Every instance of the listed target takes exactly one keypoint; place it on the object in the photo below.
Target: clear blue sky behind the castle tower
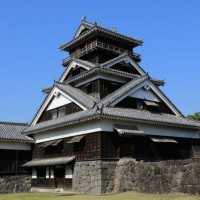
(31, 32)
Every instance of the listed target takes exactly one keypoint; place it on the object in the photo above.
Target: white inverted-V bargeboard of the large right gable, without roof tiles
(155, 90)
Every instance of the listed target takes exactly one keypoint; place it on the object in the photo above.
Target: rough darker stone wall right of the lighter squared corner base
(158, 177)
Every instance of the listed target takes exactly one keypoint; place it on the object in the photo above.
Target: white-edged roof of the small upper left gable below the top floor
(74, 63)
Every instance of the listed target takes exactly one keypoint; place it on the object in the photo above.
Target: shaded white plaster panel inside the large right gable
(145, 94)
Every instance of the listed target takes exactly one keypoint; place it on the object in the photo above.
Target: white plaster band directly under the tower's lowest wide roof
(107, 125)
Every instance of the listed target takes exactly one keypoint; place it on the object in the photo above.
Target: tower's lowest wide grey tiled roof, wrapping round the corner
(114, 113)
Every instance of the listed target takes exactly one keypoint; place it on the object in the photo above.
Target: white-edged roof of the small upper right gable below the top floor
(126, 58)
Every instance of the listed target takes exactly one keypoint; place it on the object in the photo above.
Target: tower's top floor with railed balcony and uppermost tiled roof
(96, 44)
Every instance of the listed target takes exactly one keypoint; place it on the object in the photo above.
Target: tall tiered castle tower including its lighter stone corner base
(105, 110)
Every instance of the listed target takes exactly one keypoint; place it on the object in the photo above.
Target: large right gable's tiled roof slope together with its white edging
(132, 87)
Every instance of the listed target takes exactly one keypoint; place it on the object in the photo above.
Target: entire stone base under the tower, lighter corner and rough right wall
(100, 177)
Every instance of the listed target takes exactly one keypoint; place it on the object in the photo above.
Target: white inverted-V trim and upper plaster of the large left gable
(50, 101)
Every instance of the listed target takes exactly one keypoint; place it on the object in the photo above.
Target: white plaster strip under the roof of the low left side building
(15, 145)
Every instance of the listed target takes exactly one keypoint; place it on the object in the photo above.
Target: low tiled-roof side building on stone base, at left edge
(15, 150)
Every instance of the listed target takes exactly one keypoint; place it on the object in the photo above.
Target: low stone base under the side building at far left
(11, 184)
